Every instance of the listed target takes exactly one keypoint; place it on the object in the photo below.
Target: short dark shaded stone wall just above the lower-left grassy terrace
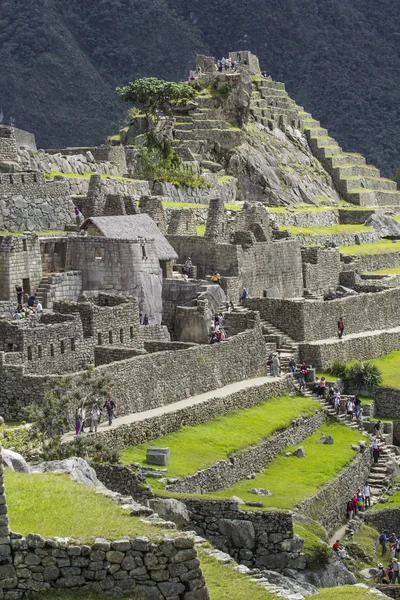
(123, 480)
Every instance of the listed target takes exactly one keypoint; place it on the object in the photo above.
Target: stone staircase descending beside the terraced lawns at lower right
(380, 476)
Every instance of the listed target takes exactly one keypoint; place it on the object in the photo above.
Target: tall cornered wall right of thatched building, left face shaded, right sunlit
(260, 267)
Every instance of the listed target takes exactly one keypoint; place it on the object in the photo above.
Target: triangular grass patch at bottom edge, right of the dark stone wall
(224, 583)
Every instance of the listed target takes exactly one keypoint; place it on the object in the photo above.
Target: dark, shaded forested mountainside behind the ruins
(60, 61)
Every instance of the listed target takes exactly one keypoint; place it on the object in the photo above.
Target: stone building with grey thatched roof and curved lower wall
(126, 255)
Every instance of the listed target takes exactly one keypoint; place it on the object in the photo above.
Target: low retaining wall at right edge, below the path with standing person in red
(360, 347)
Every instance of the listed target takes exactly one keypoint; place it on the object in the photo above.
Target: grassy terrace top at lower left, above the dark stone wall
(52, 505)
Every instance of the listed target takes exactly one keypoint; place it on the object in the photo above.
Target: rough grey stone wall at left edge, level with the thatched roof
(29, 203)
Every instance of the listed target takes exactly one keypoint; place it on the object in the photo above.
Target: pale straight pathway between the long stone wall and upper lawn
(186, 402)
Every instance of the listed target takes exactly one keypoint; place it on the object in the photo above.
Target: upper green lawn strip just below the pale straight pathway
(193, 448)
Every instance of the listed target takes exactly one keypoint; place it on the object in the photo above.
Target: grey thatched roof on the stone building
(133, 227)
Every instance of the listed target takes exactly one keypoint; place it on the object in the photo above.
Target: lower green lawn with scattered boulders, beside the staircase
(292, 479)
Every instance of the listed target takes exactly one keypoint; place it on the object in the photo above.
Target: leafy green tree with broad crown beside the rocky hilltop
(152, 95)
